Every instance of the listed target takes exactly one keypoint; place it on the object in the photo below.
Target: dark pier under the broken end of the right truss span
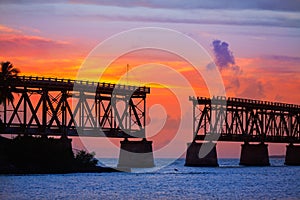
(195, 159)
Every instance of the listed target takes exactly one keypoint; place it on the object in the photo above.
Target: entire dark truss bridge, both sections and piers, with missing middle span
(53, 107)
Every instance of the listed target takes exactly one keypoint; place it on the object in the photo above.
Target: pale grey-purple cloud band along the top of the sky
(205, 12)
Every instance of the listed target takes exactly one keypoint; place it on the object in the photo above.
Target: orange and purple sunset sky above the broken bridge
(53, 39)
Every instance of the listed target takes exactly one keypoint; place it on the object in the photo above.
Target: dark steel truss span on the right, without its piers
(245, 120)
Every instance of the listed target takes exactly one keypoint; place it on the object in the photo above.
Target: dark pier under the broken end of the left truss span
(136, 154)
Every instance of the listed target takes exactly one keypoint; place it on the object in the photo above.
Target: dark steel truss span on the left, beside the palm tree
(51, 106)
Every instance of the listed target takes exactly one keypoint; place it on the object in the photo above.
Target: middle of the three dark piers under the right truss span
(254, 155)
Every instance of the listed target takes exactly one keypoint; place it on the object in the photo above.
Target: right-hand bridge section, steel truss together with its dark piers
(250, 121)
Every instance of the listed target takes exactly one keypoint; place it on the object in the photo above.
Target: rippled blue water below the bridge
(229, 181)
